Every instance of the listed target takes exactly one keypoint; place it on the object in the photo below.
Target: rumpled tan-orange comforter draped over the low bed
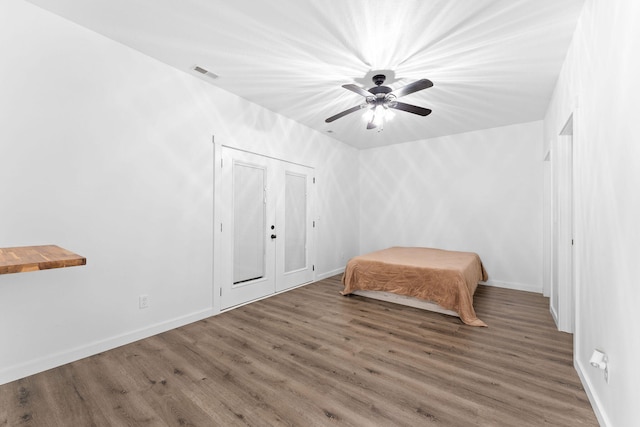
(448, 278)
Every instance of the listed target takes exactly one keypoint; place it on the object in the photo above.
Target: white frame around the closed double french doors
(218, 214)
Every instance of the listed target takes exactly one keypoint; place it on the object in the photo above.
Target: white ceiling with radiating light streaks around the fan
(493, 62)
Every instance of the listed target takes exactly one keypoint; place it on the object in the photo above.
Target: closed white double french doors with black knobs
(265, 226)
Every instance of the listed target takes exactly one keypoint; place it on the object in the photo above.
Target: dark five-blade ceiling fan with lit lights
(380, 98)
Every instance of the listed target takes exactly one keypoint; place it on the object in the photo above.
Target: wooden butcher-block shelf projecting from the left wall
(34, 258)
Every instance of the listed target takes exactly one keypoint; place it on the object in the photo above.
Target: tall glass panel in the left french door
(249, 218)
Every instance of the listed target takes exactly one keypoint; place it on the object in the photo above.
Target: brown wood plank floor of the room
(311, 357)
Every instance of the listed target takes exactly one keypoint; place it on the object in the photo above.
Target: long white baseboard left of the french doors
(41, 364)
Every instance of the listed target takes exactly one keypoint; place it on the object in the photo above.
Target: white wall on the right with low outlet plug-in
(599, 84)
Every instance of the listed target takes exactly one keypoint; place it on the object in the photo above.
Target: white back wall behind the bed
(478, 191)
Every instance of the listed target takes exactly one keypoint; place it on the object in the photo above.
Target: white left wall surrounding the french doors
(108, 153)
